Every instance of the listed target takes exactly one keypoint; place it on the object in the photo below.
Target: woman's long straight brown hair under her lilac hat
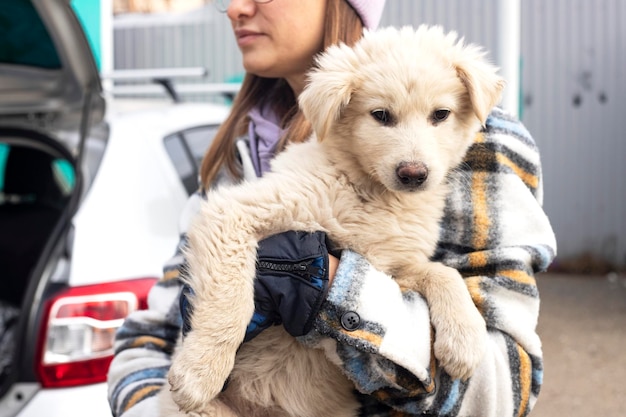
(342, 25)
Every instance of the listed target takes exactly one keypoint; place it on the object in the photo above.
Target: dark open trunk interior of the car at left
(39, 192)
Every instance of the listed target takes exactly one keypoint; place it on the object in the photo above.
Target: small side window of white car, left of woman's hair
(186, 149)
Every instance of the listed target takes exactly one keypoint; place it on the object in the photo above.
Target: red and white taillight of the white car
(79, 325)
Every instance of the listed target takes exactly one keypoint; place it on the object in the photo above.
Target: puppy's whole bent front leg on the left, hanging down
(221, 261)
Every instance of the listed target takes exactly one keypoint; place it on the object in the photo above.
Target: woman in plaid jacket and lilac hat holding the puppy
(494, 232)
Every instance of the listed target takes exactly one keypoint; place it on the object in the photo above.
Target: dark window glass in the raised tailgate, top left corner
(24, 39)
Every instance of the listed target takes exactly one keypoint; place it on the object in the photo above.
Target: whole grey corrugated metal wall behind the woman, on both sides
(573, 90)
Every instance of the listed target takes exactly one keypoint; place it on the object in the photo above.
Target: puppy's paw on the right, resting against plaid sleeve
(460, 347)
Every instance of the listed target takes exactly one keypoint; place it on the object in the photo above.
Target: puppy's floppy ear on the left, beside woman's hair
(329, 89)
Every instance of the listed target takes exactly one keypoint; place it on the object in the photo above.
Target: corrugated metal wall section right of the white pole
(574, 88)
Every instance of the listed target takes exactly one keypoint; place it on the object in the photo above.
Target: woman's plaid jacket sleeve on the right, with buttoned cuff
(496, 234)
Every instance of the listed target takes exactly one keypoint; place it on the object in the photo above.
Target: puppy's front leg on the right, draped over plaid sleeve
(460, 330)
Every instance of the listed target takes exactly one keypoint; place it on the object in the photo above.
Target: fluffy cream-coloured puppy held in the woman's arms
(392, 117)
